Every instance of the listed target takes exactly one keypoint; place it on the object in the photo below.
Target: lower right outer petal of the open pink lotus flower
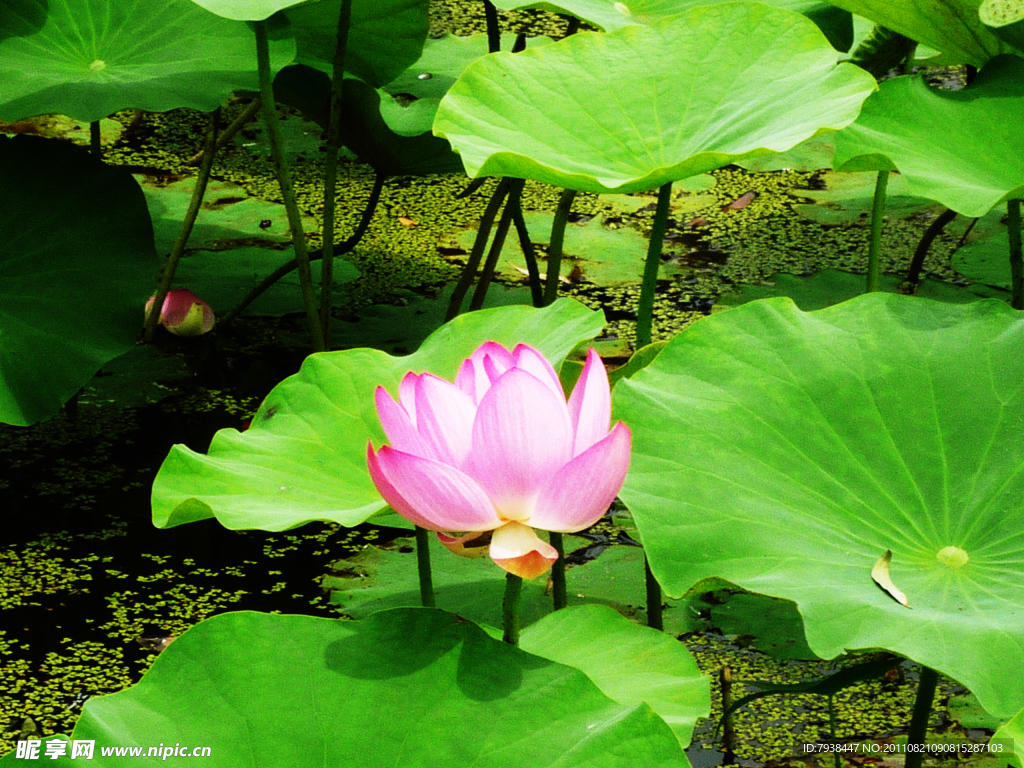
(577, 496)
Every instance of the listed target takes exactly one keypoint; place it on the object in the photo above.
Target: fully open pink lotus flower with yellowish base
(500, 453)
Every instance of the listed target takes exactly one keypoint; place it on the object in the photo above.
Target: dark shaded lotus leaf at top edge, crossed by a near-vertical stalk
(385, 36)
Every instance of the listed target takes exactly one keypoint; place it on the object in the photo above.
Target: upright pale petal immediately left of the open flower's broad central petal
(445, 419)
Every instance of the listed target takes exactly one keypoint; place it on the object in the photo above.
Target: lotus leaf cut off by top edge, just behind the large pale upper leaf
(611, 16)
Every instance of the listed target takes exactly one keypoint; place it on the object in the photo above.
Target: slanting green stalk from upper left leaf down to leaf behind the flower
(285, 182)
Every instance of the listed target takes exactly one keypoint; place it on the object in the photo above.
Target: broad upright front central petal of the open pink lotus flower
(522, 437)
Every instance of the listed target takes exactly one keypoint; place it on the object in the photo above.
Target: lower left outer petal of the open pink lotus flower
(431, 494)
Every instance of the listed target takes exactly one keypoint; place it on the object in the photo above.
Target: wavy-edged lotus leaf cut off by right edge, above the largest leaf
(977, 158)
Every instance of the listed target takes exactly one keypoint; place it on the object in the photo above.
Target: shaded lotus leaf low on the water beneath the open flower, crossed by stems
(381, 578)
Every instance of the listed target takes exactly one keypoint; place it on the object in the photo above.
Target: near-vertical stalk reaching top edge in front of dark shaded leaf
(331, 168)
